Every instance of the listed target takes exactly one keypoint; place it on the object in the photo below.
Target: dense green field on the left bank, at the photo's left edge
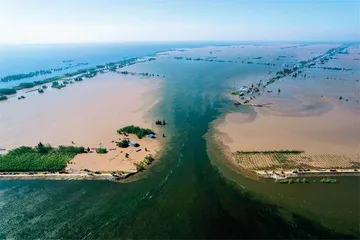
(40, 158)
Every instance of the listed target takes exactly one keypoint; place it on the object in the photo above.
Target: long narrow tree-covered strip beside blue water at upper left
(72, 77)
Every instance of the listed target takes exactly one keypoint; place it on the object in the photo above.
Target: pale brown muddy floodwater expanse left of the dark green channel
(87, 113)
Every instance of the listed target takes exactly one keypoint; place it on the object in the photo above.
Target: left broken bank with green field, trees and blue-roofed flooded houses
(73, 162)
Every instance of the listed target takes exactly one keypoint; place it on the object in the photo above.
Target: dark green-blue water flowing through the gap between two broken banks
(185, 194)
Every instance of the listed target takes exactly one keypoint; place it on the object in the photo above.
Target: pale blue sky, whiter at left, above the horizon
(95, 21)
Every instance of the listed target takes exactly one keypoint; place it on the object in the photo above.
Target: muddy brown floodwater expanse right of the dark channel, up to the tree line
(307, 115)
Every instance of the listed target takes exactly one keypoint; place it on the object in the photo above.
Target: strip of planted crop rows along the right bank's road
(287, 160)
